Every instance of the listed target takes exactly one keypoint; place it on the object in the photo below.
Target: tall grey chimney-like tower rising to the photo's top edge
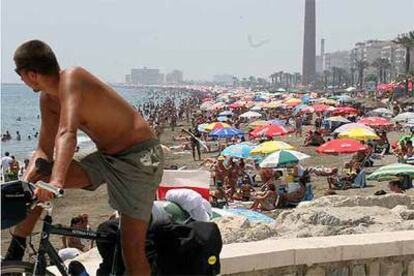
(309, 43)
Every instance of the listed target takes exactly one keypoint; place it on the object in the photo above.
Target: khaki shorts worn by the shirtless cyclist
(132, 176)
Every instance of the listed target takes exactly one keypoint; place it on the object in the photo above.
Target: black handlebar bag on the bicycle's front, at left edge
(16, 196)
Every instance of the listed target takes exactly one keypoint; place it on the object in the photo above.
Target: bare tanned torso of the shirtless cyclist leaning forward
(106, 117)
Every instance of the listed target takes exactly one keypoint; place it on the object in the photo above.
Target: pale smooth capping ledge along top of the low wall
(268, 254)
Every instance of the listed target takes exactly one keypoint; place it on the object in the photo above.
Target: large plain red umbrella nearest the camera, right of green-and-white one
(341, 146)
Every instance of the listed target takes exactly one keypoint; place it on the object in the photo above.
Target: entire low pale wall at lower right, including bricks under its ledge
(389, 253)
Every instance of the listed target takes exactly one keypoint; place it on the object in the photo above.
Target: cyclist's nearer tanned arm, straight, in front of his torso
(66, 140)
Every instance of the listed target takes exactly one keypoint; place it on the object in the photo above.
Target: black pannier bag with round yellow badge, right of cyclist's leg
(191, 249)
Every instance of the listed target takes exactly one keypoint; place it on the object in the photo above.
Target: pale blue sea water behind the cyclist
(20, 112)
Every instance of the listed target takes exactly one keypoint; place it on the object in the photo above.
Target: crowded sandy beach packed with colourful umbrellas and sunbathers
(257, 157)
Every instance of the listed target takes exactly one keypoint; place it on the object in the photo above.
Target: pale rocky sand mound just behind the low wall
(327, 216)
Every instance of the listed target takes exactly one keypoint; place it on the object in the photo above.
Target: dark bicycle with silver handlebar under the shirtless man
(39, 266)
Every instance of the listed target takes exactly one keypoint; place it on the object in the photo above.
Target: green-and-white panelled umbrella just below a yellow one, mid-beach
(282, 158)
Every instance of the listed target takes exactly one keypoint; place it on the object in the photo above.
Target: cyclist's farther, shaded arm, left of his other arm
(48, 129)
